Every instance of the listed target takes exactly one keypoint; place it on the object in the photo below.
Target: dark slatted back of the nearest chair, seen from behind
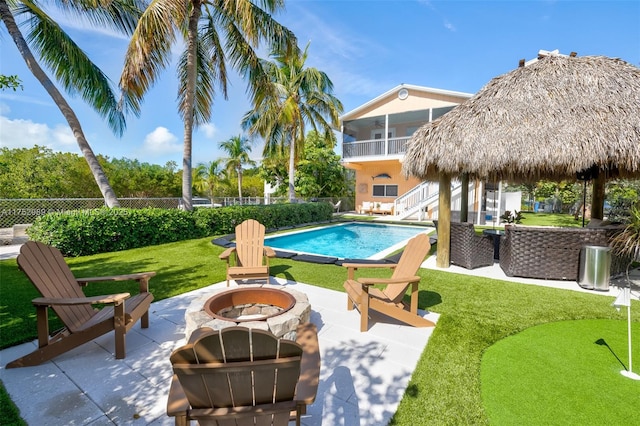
(237, 367)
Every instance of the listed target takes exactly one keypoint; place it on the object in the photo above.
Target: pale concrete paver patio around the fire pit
(363, 375)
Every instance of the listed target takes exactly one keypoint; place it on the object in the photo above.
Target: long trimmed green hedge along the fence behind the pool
(86, 232)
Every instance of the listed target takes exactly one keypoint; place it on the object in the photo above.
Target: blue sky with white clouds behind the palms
(367, 47)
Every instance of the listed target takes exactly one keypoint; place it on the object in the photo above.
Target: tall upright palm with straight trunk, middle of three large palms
(216, 33)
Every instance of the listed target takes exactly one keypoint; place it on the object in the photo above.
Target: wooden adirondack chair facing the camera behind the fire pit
(251, 255)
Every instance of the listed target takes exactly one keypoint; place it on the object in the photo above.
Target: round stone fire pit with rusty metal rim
(277, 309)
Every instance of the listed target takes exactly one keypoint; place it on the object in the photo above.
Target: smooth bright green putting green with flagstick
(562, 373)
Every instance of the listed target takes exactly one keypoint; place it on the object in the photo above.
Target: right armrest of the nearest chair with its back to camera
(307, 388)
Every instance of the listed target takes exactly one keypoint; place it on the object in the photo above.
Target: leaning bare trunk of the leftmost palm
(96, 169)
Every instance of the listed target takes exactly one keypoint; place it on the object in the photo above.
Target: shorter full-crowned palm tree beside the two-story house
(296, 97)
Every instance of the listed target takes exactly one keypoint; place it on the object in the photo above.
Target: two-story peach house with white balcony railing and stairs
(375, 136)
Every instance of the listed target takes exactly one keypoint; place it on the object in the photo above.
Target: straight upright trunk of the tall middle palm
(189, 102)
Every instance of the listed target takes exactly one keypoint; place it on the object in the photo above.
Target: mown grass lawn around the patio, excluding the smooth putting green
(446, 385)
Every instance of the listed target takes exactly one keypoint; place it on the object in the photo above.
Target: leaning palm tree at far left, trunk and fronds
(73, 69)
